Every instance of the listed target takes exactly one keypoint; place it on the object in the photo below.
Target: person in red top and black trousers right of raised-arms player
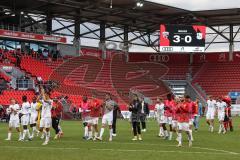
(56, 111)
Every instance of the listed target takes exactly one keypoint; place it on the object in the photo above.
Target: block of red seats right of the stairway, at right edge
(219, 79)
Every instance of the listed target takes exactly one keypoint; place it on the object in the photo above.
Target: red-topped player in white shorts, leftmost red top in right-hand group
(168, 105)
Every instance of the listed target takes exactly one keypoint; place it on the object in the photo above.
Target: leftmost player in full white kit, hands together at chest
(14, 121)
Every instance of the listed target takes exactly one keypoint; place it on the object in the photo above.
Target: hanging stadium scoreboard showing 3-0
(182, 38)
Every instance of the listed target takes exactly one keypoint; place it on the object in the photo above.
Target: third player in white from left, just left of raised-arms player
(34, 116)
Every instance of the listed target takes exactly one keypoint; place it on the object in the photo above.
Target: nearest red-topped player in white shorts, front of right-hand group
(184, 111)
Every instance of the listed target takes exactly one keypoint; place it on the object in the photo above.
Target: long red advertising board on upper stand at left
(32, 36)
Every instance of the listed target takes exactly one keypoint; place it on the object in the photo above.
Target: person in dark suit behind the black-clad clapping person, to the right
(144, 113)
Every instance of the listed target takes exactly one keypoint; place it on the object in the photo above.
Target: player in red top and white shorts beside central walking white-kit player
(95, 112)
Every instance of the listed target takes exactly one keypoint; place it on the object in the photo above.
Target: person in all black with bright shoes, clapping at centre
(135, 109)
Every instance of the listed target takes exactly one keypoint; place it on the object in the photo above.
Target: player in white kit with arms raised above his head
(46, 120)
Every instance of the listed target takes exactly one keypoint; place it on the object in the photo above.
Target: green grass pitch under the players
(209, 146)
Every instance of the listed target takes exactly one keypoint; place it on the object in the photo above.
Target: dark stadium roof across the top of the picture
(122, 13)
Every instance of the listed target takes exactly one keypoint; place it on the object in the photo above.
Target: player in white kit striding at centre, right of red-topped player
(107, 118)
